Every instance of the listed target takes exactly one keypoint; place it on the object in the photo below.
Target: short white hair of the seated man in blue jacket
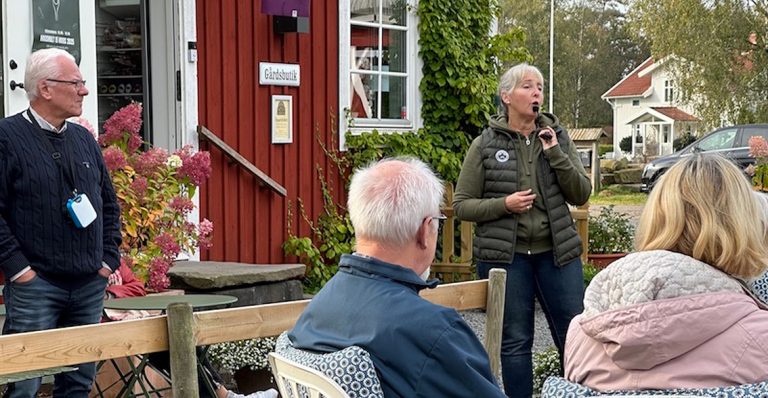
(389, 199)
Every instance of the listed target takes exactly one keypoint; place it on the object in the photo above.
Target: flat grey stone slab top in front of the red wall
(208, 275)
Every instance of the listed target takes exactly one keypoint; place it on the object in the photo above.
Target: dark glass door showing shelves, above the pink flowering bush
(121, 58)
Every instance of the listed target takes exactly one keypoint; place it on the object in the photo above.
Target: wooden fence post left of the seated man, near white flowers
(181, 342)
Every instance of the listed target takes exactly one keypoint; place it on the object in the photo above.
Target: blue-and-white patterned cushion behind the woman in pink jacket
(561, 388)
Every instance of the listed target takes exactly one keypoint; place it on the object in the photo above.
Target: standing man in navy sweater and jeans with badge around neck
(59, 217)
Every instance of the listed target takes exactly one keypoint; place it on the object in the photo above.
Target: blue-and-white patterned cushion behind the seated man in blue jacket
(352, 367)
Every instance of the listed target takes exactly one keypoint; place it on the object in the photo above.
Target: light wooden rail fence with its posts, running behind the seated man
(69, 346)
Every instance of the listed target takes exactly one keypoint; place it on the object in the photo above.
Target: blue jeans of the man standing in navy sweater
(40, 305)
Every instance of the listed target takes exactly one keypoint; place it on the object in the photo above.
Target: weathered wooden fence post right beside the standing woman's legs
(494, 312)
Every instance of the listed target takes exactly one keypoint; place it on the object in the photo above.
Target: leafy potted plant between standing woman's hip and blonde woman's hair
(611, 236)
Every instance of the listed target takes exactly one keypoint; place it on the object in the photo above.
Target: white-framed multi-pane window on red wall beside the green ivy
(378, 69)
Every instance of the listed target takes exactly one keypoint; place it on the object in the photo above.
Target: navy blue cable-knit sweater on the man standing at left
(35, 228)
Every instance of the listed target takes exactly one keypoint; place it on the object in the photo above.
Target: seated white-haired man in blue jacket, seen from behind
(419, 349)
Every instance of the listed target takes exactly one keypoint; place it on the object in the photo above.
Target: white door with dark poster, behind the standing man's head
(17, 45)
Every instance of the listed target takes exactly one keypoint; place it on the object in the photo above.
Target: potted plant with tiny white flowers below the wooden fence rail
(246, 361)
